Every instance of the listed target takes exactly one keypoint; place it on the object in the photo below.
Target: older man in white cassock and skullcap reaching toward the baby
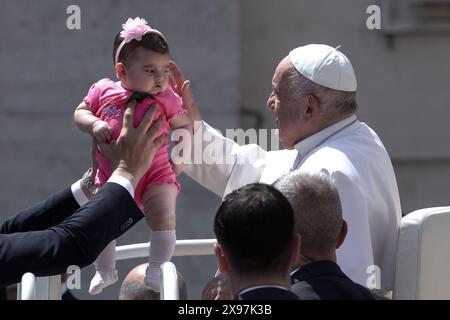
(313, 98)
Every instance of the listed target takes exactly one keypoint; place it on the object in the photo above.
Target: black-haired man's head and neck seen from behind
(256, 241)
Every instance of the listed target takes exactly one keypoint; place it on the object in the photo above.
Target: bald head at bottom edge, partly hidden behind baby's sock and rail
(133, 287)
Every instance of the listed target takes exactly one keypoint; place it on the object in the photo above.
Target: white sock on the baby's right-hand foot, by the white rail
(162, 245)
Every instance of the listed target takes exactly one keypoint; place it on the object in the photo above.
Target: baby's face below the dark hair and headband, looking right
(148, 72)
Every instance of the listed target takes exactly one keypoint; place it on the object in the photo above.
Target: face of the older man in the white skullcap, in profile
(287, 109)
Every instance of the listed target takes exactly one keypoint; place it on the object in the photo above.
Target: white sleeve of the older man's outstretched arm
(216, 161)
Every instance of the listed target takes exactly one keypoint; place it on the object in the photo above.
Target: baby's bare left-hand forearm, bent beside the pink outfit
(89, 123)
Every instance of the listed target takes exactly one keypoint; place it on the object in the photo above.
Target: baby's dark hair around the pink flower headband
(150, 41)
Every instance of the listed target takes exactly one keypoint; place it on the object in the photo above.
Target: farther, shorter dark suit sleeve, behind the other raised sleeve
(42, 215)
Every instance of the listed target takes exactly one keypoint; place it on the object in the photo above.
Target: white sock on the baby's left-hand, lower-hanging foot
(105, 266)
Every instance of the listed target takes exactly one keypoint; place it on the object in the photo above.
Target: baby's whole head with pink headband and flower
(141, 57)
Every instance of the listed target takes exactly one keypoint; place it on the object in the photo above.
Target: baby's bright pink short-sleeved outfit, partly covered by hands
(107, 100)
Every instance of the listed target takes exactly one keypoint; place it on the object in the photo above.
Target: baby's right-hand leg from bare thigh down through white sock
(159, 210)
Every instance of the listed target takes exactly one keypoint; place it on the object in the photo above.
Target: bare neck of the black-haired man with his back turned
(239, 283)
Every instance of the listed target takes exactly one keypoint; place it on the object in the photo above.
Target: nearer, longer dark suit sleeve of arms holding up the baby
(76, 241)
